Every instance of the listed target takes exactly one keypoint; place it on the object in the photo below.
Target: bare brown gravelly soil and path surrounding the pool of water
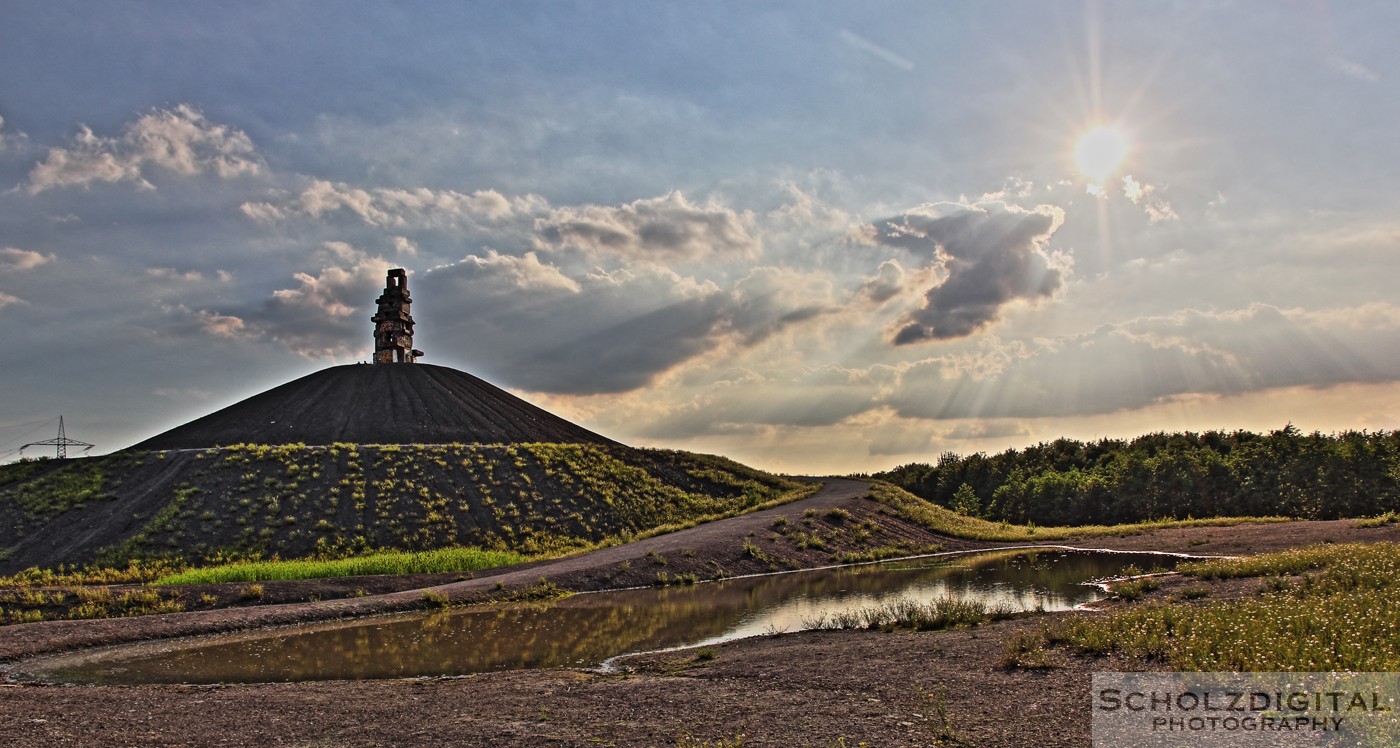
(813, 688)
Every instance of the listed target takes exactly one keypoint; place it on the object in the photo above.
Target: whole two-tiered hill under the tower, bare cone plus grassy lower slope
(358, 459)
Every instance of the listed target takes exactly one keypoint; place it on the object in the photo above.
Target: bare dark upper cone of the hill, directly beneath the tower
(363, 404)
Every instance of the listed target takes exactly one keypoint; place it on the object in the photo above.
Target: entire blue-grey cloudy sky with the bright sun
(815, 237)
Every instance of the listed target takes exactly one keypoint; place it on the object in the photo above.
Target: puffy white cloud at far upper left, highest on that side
(178, 141)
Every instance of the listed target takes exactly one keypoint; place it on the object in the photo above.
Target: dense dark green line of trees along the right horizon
(1170, 476)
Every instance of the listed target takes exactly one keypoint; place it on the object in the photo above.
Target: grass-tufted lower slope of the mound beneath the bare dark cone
(295, 502)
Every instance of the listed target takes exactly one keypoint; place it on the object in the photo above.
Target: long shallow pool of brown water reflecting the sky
(591, 628)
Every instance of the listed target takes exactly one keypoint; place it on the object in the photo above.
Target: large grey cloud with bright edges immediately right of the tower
(545, 330)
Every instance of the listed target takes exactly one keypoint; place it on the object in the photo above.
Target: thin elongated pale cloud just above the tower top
(383, 208)
